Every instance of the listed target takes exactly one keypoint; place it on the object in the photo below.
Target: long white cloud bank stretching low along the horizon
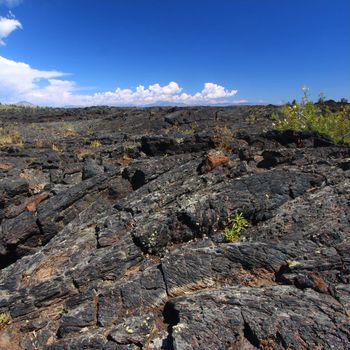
(19, 81)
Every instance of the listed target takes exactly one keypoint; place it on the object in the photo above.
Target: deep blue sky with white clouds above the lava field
(136, 52)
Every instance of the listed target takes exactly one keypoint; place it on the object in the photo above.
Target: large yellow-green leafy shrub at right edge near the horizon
(306, 116)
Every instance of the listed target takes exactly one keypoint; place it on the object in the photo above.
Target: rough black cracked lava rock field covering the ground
(111, 232)
